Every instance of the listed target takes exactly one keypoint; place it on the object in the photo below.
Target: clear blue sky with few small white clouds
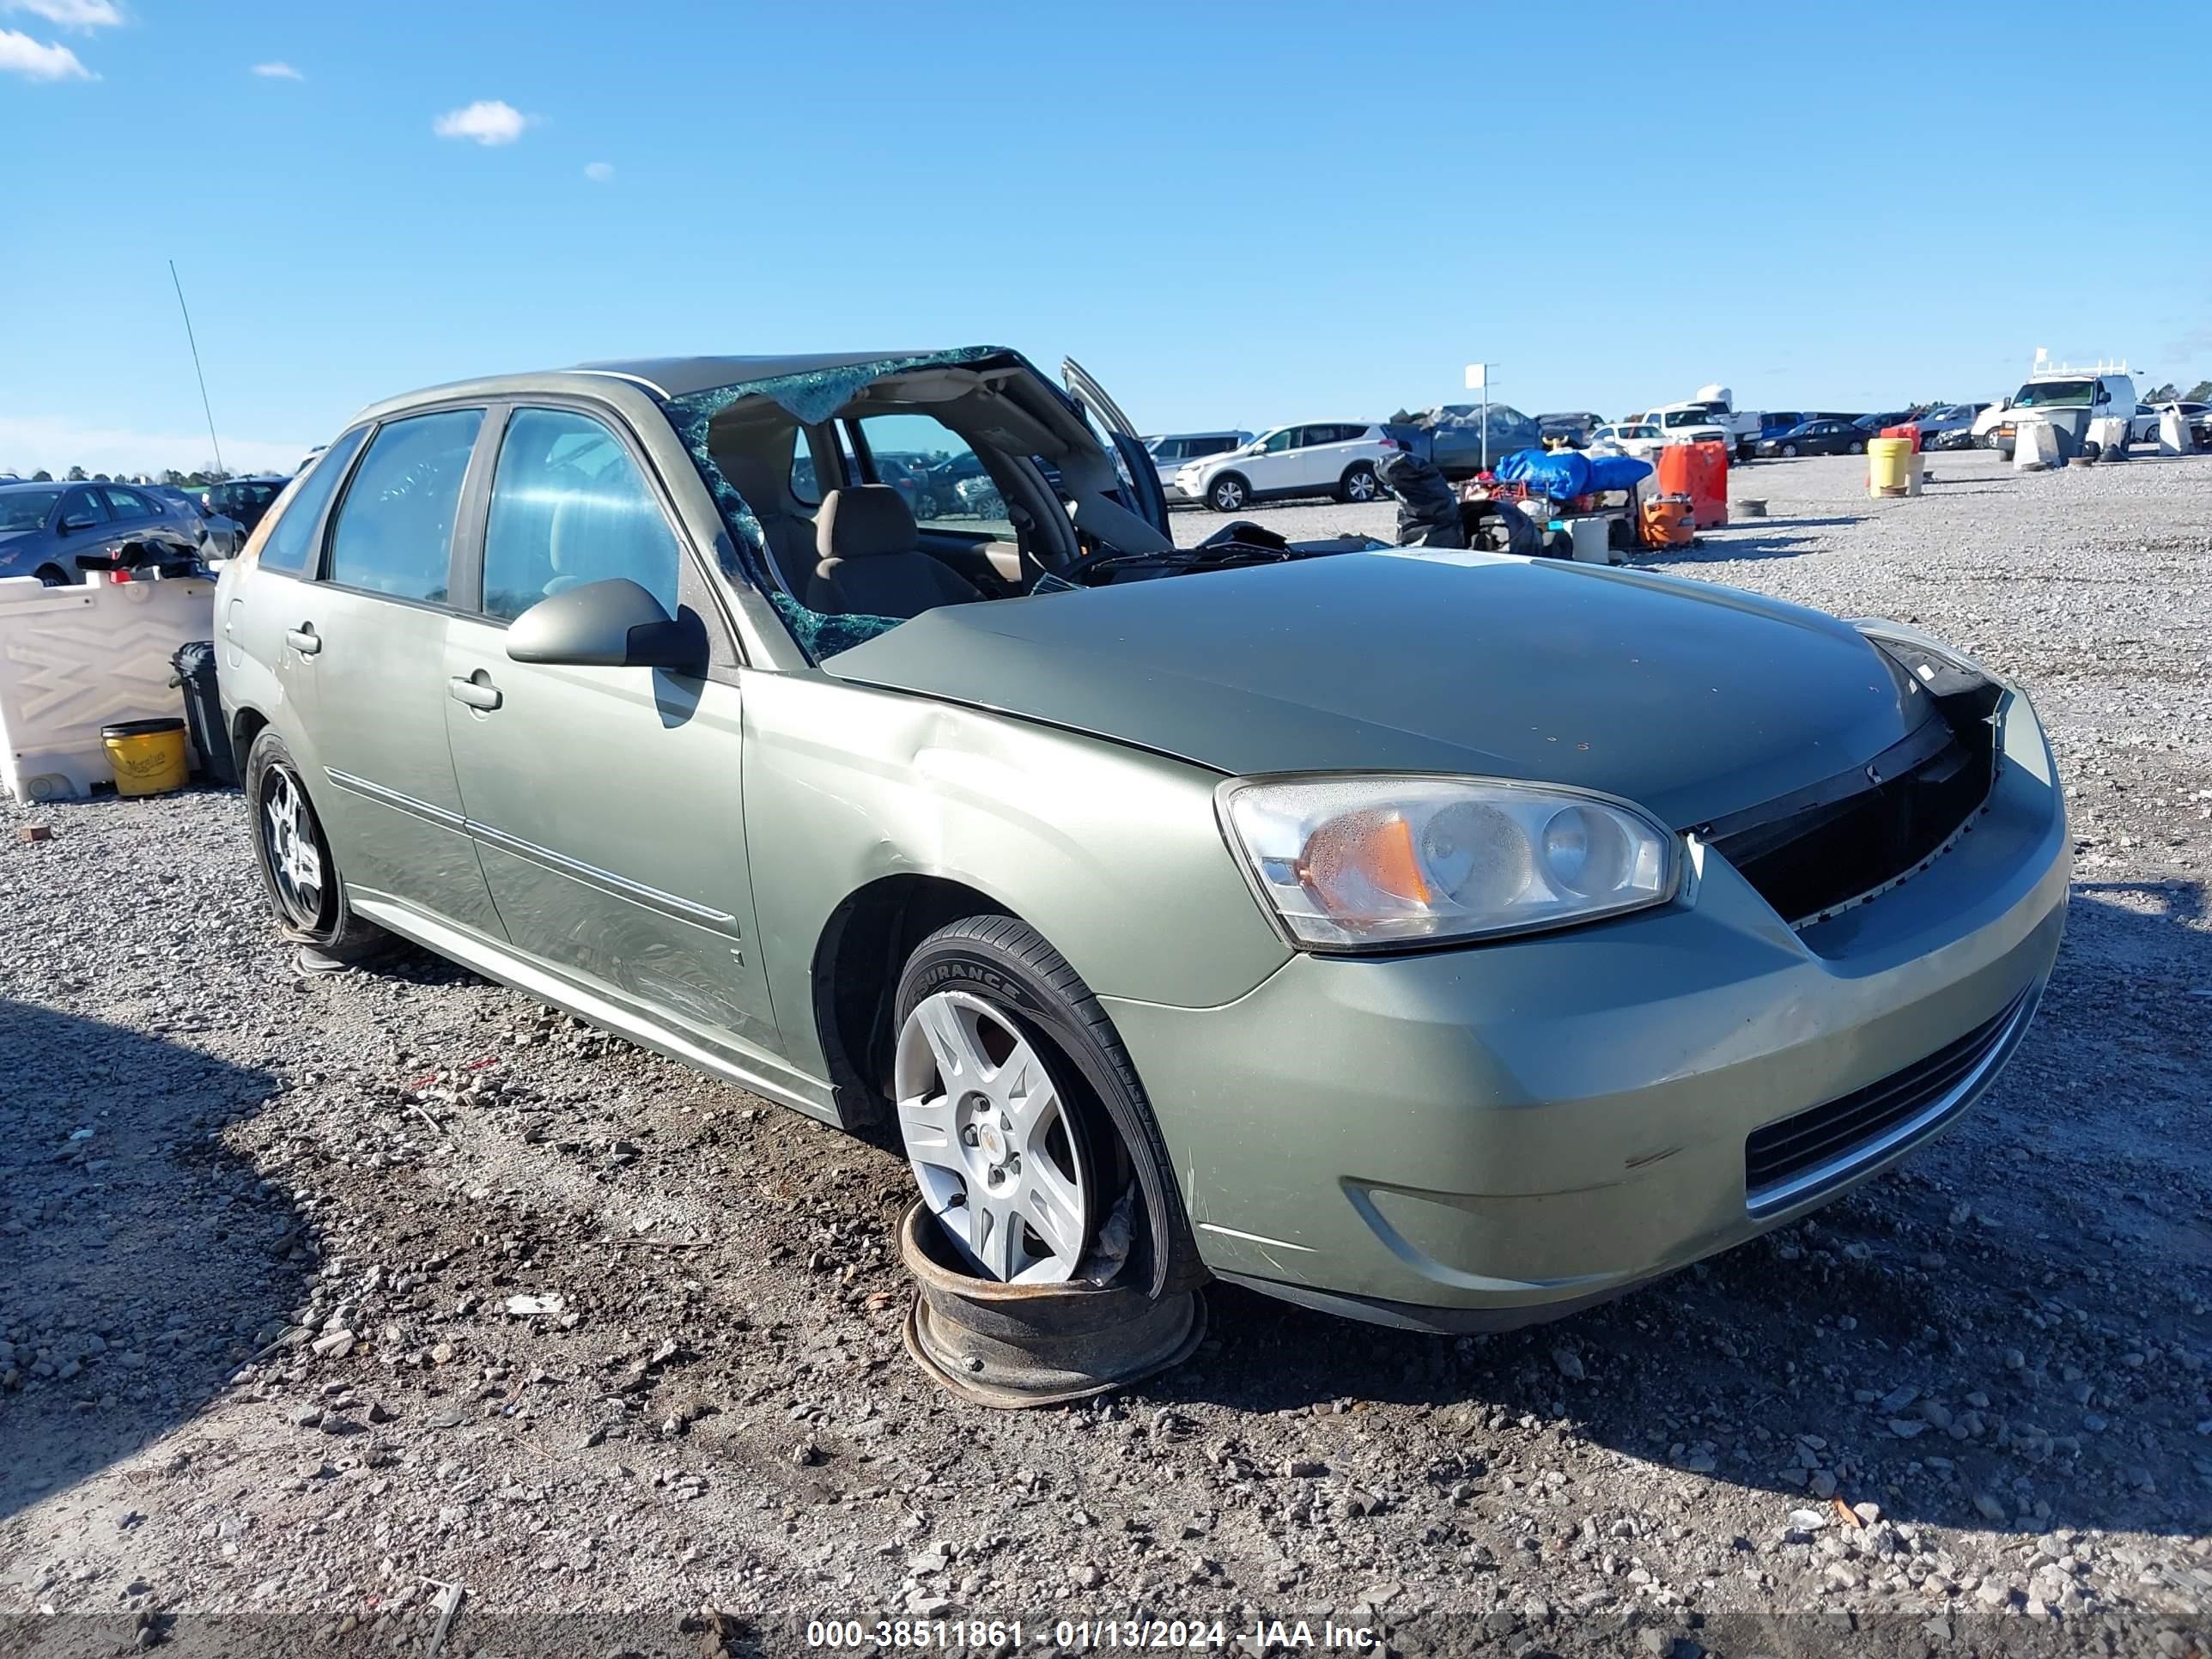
(1233, 216)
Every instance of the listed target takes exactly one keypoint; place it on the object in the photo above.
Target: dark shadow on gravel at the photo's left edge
(140, 1260)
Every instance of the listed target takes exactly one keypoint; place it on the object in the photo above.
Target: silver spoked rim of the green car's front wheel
(992, 1140)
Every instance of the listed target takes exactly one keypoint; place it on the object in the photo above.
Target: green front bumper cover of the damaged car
(1492, 1136)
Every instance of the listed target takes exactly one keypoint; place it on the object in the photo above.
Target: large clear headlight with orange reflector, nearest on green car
(1379, 862)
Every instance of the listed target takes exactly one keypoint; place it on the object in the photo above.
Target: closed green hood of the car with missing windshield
(1687, 698)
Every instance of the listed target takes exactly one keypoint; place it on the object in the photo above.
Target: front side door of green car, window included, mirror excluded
(605, 802)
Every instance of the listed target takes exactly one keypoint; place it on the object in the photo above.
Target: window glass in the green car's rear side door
(395, 530)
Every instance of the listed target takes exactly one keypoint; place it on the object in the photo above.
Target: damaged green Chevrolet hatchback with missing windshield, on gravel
(1439, 939)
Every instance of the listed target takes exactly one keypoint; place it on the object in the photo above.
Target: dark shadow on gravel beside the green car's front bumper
(2005, 1333)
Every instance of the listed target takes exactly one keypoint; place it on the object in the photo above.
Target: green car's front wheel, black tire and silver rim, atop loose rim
(1021, 1112)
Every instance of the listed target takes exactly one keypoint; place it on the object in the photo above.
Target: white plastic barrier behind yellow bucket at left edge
(74, 660)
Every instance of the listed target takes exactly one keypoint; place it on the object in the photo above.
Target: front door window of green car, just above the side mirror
(570, 508)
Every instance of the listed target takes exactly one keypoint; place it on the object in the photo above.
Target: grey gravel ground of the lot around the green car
(262, 1390)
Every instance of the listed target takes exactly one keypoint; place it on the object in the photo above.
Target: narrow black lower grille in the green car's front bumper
(1839, 1136)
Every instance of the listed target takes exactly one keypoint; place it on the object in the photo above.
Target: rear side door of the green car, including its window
(368, 640)
